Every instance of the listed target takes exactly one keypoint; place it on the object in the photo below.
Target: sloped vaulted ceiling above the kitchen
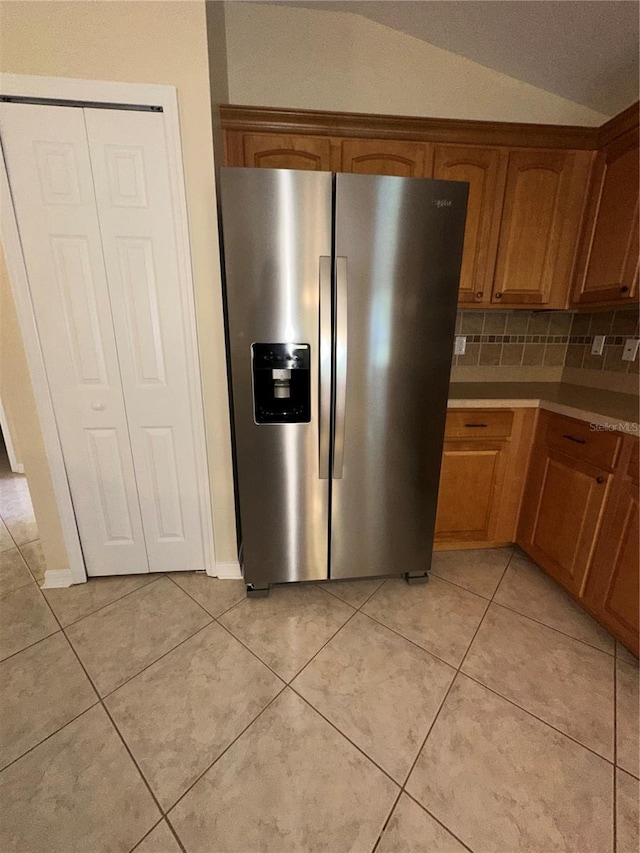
(584, 50)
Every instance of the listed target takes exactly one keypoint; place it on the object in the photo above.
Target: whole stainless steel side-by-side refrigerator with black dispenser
(341, 295)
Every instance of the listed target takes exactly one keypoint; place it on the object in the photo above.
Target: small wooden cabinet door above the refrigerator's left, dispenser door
(275, 151)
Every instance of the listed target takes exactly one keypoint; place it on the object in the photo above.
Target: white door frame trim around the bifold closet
(103, 92)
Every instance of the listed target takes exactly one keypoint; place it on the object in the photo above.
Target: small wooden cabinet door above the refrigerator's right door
(385, 157)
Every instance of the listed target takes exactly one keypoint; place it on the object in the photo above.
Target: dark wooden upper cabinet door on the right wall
(610, 248)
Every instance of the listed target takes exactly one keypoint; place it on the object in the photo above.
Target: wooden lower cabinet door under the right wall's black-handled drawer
(561, 515)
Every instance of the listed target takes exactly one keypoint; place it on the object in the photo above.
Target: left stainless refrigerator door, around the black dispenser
(276, 227)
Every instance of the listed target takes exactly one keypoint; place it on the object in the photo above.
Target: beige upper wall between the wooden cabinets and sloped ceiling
(314, 59)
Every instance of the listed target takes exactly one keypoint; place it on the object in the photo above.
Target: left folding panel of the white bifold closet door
(52, 187)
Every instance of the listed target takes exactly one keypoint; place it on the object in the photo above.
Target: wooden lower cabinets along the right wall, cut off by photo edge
(580, 520)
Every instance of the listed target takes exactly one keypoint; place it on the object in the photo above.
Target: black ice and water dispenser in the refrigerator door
(281, 383)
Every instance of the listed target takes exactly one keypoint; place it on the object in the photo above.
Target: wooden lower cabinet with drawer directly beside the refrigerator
(484, 458)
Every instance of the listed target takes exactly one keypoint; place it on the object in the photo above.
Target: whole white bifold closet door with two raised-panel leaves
(93, 203)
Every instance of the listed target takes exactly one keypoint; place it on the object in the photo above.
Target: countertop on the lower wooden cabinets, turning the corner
(609, 409)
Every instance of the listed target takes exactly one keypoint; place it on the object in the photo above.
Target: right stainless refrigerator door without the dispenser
(402, 240)
